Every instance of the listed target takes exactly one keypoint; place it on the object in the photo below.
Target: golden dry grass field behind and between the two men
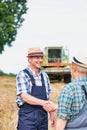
(8, 108)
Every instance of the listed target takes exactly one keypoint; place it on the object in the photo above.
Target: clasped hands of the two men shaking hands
(49, 106)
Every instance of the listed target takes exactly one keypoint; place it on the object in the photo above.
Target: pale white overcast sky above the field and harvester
(47, 23)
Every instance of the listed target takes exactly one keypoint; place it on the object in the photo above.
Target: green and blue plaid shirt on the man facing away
(72, 99)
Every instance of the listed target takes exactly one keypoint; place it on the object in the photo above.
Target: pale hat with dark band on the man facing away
(80, 59)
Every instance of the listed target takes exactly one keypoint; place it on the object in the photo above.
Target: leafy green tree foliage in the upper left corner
(11, 18)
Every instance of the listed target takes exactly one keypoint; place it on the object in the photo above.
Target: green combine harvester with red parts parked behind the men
(56, 64)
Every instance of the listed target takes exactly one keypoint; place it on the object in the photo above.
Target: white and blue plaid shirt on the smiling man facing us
(23, 84)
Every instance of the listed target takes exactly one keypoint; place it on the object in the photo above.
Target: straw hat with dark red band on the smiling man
(34, 52)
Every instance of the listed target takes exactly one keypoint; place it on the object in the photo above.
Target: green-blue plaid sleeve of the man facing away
(64, 104)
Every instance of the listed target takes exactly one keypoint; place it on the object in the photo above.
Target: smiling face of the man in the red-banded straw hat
(36, 61)
